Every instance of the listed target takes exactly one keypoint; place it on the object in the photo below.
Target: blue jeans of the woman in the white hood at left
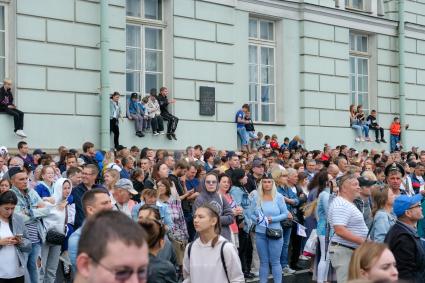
(50, 259)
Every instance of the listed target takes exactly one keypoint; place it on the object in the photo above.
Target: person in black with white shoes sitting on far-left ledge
(7, 106)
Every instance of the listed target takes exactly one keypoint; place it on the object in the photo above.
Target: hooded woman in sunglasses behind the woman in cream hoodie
(209, 195)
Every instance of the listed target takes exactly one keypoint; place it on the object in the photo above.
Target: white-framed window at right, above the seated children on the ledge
(359, 70)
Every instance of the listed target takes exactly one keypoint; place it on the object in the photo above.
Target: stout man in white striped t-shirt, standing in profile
(349, 227)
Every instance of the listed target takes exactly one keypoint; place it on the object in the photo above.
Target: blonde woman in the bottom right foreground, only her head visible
(373, 261)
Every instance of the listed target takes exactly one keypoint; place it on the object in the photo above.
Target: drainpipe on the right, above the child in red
(401, 85)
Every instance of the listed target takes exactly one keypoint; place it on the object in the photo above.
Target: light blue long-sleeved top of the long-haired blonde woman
(275, 209)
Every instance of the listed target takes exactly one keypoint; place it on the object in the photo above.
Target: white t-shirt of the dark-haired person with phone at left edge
(10, 255)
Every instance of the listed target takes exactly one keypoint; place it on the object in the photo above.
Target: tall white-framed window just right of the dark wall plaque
(261, 61)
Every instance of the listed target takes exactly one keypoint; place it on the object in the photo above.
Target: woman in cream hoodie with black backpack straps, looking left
(210, 258)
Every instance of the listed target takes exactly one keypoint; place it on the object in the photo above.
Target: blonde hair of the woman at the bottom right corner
(363, 258)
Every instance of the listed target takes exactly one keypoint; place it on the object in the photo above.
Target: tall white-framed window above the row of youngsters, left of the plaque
(144, 46)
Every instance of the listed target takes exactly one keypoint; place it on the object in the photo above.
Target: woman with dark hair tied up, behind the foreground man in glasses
(159, 270)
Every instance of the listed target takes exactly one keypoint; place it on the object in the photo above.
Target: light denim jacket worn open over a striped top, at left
(33, 214)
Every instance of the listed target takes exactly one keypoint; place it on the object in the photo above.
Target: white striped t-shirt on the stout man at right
(344, 213)
